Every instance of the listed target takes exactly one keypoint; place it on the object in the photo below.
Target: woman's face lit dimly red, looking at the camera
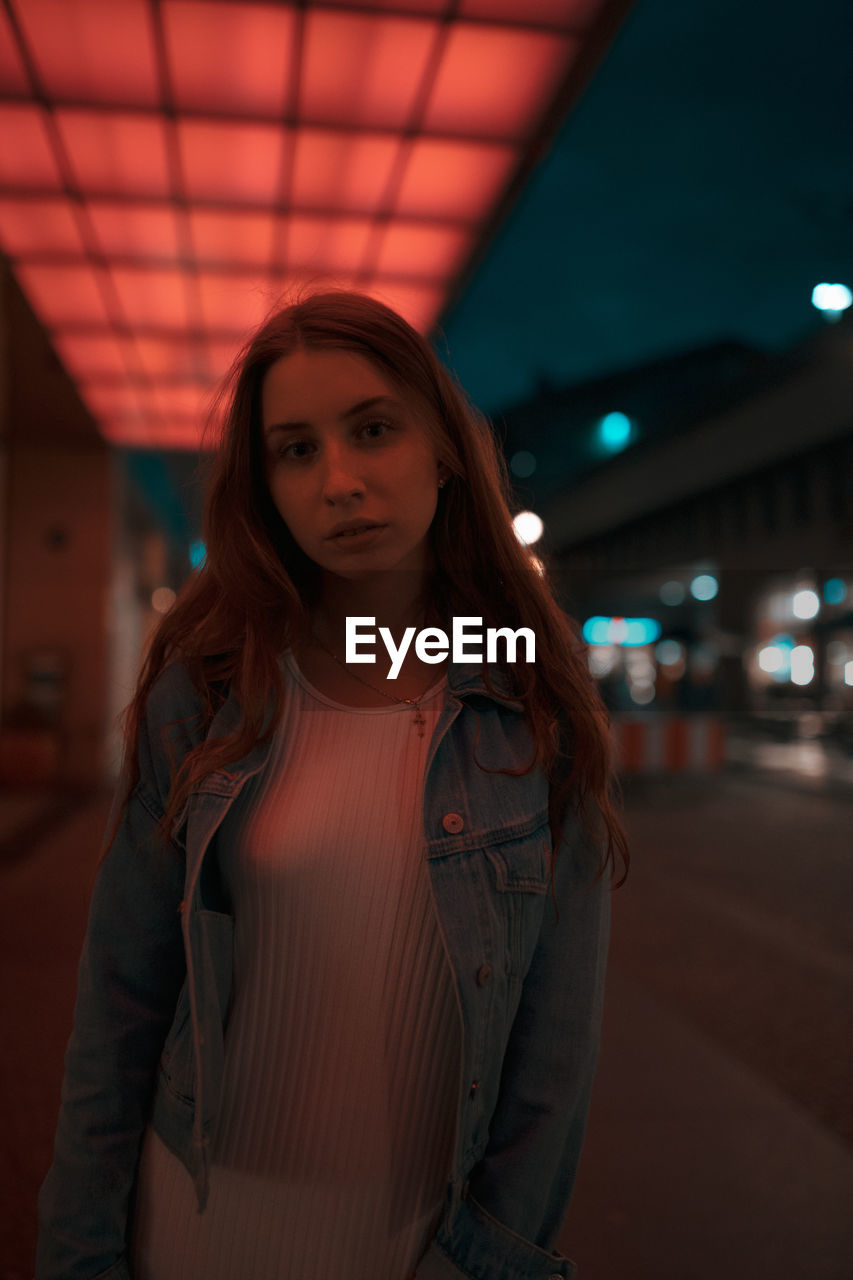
(341, 444)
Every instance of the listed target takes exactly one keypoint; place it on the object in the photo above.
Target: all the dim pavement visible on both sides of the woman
(720, 1141)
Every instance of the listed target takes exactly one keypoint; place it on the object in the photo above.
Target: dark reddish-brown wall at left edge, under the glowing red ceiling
(57, 522)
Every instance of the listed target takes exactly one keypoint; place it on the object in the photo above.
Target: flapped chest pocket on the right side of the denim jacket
(519, 876)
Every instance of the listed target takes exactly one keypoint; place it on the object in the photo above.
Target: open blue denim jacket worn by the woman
(526, 939)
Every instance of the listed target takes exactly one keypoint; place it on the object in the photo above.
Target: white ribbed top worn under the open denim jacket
(335, 1140)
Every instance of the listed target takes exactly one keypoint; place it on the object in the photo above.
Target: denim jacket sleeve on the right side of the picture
(518, 1195)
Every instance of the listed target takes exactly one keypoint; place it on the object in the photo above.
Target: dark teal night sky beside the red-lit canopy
(699, 191)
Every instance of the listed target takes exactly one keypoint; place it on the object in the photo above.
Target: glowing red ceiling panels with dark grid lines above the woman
(174, 168)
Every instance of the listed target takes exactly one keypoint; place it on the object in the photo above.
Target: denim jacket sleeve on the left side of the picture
(130, 976)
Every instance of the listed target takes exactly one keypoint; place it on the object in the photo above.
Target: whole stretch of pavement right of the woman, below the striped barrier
(720, 1141)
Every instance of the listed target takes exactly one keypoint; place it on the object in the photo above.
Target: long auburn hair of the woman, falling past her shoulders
(252, 596)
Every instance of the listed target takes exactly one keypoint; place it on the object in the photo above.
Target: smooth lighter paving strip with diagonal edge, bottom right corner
(696, 1167)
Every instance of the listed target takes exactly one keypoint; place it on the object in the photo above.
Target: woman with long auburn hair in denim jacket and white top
(329, 1020)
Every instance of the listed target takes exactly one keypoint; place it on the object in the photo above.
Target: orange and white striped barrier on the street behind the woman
(669, 744)
